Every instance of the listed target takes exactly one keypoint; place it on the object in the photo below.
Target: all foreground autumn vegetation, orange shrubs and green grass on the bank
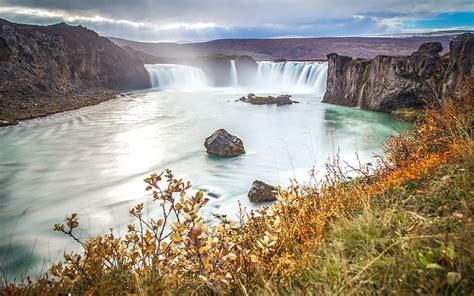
(403, 225)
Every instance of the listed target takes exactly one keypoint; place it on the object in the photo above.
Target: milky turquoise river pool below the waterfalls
(92, 161)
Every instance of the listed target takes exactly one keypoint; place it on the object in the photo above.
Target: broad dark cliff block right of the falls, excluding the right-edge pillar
(386, 83)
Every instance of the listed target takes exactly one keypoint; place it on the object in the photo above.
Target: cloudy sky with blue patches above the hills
(201, 20)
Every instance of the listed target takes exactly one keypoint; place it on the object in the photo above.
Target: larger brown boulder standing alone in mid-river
(223, 144)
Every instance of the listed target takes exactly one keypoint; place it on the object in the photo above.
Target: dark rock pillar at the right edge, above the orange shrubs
(461, 63)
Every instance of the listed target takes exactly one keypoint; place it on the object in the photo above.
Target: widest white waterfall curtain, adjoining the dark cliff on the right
(292, 76)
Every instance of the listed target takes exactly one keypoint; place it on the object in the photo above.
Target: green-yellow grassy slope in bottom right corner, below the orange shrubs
(417, 238)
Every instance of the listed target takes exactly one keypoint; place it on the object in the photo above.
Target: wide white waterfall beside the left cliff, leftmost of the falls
(177, 77)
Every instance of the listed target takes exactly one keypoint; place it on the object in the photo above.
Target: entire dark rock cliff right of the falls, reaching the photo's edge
(386, 83)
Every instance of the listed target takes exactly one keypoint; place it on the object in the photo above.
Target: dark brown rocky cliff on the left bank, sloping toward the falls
(47, 69)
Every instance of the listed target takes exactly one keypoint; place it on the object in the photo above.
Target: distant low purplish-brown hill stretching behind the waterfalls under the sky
(294, 48)
